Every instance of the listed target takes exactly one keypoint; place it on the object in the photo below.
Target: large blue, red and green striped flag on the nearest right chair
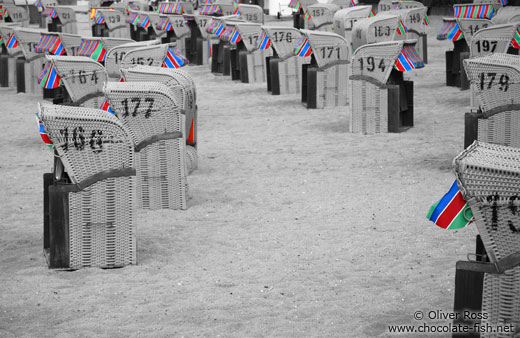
(452, 211)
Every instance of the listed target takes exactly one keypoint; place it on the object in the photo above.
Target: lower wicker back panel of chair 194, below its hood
(368, 107)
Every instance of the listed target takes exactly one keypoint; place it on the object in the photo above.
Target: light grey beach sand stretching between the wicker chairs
(295, 227)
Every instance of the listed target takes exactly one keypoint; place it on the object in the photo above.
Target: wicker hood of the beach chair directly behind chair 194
(380, 28)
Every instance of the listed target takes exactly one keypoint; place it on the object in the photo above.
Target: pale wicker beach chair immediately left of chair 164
(28, 39)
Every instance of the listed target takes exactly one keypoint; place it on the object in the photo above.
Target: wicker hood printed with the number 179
(496, 81)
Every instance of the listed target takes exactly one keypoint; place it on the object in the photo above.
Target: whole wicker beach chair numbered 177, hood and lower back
(157, 129)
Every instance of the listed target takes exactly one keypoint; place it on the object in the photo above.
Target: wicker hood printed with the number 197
(494, 39)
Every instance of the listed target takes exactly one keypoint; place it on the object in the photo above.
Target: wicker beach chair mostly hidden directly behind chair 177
(183, 88)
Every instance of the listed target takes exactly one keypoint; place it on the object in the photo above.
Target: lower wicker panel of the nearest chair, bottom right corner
(501, 302)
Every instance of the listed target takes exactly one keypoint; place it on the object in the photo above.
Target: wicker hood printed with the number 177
(145, 108)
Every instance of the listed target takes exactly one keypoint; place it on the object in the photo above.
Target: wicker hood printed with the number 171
(328, 48)
